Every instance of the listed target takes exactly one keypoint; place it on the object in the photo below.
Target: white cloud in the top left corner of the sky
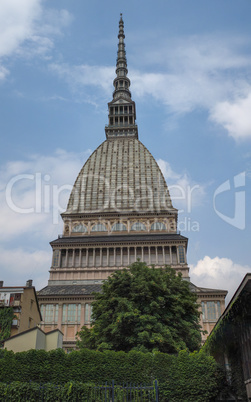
(28, 29)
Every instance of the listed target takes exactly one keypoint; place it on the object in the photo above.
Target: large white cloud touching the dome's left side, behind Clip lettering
(33, 192)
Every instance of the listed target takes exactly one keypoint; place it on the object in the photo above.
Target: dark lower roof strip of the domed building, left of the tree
(64, 290)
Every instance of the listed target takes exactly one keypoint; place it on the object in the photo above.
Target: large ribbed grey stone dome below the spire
(121, 175)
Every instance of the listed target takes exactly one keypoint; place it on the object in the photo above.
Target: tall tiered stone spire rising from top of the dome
(122, 111)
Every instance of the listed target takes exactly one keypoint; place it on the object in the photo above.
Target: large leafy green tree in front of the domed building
(146, 309)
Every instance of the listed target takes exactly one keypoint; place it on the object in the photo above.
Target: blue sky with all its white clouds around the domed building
(190, 70)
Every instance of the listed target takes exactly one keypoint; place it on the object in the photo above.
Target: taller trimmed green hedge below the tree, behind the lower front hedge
(186, 376)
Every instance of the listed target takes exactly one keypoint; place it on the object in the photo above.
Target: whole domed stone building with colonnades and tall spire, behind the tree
(119, 211)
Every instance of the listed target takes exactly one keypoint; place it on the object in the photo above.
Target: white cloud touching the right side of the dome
(185, 193)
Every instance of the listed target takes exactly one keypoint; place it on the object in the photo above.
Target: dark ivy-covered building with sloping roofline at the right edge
(231, 338)
